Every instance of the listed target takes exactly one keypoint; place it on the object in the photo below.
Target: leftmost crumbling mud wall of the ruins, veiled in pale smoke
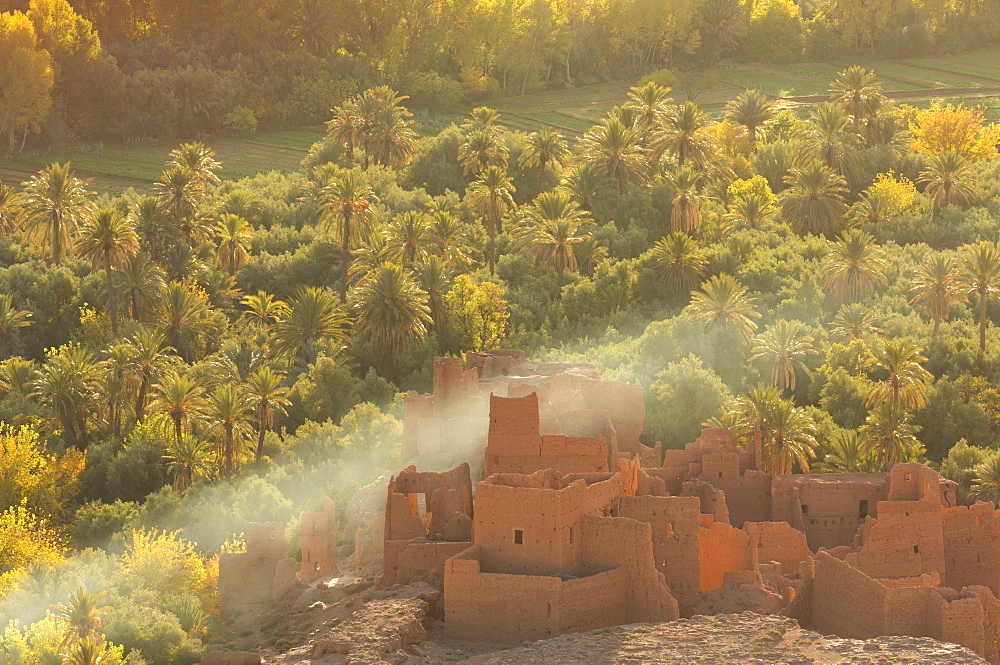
(259, 576)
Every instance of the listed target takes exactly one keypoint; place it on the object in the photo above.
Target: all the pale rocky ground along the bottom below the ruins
(347, 622)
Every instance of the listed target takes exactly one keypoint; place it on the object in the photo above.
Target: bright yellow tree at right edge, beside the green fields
(957, 128)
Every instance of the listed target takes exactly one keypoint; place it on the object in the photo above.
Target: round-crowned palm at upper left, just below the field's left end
(54, 203)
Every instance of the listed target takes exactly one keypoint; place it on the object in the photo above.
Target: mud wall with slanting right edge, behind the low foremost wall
(617, 542)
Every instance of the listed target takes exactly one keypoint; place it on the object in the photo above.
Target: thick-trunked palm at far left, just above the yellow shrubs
(66, 384)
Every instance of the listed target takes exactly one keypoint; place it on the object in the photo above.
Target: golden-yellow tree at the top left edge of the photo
(25, 79)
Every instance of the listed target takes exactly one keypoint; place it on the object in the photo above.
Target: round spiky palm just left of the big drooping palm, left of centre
(313, 315)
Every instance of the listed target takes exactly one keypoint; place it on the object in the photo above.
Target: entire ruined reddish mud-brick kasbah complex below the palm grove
(528, 499)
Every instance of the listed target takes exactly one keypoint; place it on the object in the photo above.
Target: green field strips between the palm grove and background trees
(973, 77)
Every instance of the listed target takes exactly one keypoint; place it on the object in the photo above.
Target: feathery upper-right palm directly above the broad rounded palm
(829, 139)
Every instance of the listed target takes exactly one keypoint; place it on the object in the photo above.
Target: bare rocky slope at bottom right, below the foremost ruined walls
(727, 638)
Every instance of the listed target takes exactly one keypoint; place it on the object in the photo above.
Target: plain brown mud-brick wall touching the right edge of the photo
(971, 546)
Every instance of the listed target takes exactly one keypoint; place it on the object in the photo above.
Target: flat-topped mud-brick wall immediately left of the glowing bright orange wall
(675, 522)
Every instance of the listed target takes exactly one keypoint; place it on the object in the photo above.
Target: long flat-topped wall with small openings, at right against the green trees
(828, 508)
